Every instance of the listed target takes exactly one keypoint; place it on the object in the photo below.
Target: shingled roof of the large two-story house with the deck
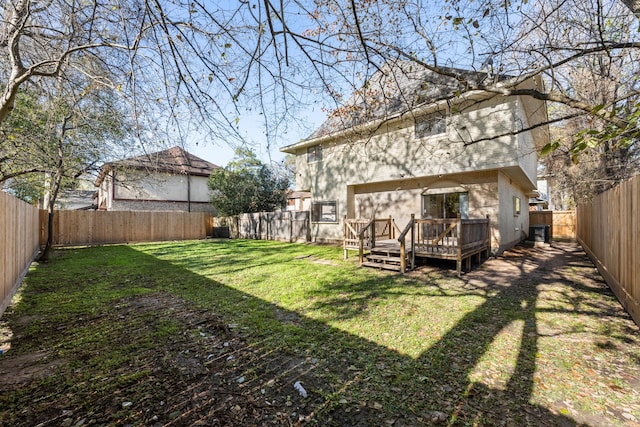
(395, 89)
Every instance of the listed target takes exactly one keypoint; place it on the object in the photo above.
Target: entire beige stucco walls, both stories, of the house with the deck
(385, 173)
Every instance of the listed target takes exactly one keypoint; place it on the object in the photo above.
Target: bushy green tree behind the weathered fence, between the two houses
(247, 185)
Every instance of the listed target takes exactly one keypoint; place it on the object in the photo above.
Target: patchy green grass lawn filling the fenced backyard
(217, 332)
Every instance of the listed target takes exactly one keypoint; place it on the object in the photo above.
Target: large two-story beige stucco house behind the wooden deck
(405, 144)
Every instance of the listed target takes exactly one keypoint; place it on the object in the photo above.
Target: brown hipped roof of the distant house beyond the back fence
(174, 160)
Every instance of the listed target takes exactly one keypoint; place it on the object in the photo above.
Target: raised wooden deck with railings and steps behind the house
(454, 239)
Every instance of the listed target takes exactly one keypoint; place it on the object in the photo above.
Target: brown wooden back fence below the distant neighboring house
(100, 227)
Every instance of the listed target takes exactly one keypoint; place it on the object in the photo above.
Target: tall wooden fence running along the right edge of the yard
(609, 231)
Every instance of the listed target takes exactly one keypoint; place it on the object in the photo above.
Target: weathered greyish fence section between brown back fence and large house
(288, 226)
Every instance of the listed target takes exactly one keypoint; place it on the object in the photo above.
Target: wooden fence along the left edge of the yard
(19, 236)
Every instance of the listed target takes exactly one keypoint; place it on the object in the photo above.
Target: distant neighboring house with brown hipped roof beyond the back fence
(172, 180)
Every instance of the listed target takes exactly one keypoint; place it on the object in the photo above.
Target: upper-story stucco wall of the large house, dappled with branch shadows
(394, 151)
